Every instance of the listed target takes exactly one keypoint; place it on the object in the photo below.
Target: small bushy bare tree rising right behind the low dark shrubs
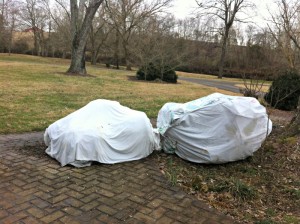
(159, 46)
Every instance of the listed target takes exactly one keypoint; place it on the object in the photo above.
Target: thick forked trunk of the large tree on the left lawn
(82, 15)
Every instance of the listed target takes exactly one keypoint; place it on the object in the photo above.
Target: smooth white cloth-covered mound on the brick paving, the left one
(102, 131)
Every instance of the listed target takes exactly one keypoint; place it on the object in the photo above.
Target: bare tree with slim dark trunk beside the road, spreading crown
(226, 11)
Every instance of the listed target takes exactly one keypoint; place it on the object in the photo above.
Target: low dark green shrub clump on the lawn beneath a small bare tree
(152, 72)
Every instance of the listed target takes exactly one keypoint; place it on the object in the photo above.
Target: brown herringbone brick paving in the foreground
(35, 189)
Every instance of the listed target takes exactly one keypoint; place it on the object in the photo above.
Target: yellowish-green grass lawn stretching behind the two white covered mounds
(35, 91)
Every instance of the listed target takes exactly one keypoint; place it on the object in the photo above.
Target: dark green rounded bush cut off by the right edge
(284, 91)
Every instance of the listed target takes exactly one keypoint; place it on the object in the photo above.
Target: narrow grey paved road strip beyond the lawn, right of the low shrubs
(229, 86)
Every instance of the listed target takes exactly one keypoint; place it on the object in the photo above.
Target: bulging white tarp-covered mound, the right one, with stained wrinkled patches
(214, 129)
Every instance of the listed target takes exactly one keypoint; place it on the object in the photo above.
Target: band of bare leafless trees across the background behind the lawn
(136, 33)
